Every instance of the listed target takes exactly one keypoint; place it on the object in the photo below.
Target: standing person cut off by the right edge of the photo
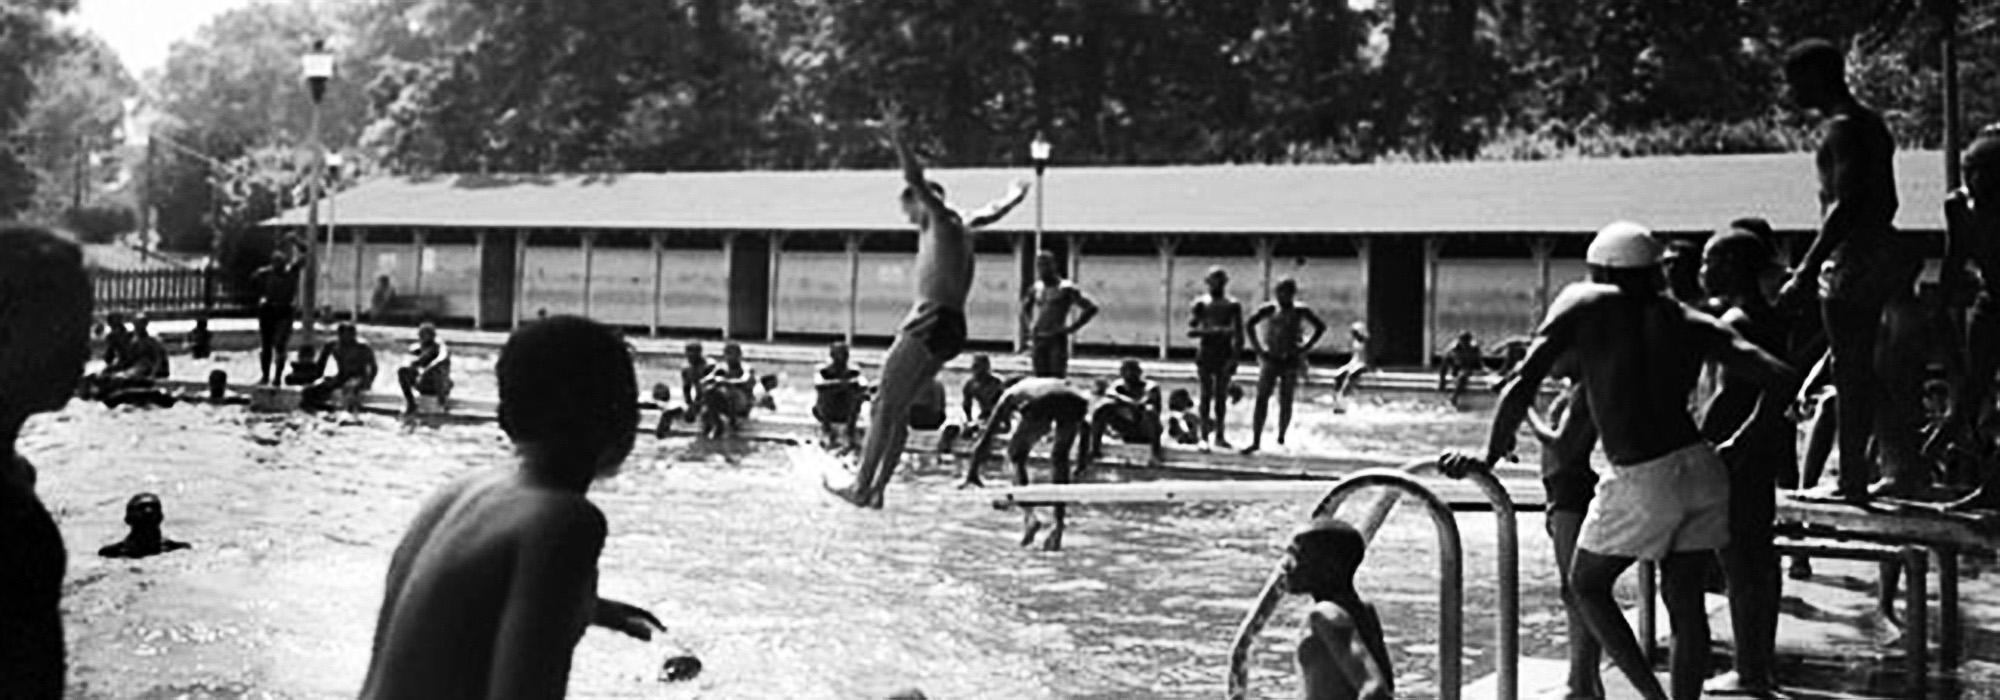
(1973, 215)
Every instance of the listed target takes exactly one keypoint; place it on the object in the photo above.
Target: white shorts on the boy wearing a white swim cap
(1675, 503)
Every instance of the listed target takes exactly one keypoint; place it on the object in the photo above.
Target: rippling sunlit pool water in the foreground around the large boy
(779, 589)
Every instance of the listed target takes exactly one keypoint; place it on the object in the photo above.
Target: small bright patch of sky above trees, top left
(141, 31)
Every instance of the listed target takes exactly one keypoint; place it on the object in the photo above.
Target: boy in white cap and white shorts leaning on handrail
(1667, 491)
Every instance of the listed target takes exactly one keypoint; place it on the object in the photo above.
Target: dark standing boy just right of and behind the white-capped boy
(1733, 271)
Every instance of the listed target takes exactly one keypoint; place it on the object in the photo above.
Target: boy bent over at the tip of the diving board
(1045, 405)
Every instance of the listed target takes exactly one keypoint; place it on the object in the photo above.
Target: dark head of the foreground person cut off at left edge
(45, 323)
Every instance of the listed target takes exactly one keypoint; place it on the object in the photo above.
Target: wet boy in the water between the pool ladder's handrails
(1343, 653)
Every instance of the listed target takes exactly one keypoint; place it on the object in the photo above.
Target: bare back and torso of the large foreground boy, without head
(489, 593)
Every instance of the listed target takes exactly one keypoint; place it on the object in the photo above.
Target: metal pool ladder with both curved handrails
(1451, 577)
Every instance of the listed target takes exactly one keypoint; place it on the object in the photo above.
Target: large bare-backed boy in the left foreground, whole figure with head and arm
(497, 579)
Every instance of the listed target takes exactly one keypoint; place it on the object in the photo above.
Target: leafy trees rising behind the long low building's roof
(727, 85)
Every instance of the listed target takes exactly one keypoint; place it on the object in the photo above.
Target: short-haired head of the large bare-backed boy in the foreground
(569, 395)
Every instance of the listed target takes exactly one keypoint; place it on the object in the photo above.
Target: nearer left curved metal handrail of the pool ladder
(1451, 575)
